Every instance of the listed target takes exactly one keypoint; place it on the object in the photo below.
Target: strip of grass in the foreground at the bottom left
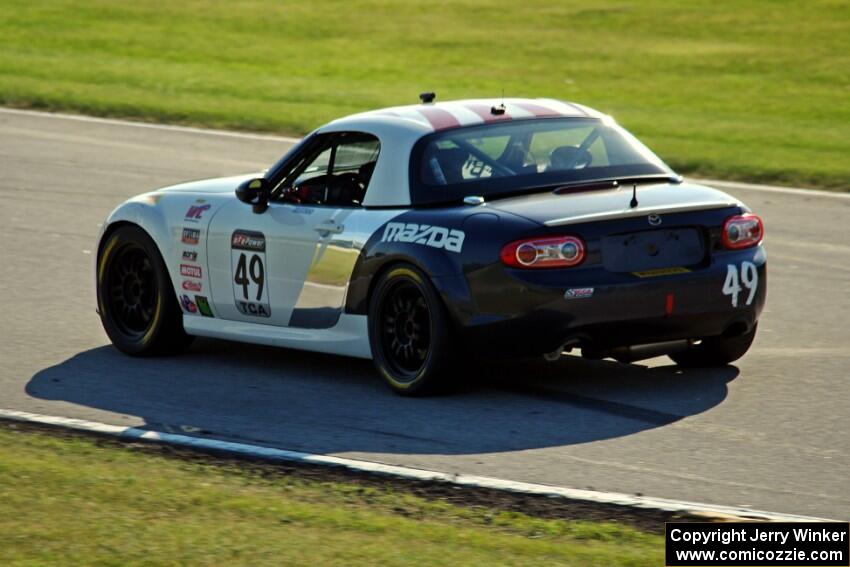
(75, 501)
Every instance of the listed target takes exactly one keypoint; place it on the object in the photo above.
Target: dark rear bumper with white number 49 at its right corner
(500, 311)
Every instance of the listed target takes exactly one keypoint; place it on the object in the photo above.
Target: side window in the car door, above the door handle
(336, 172)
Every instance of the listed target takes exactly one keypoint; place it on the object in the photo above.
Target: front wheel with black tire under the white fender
(136, 301)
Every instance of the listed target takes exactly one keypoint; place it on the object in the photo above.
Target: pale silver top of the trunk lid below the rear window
(606, 204)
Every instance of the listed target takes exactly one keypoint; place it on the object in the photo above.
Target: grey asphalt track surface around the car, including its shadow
(769, 433)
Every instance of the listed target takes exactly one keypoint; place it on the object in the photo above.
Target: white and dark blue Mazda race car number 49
(427, 235)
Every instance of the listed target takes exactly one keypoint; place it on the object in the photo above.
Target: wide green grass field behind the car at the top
(743, 89)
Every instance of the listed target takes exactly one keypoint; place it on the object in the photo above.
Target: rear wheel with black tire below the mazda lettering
(410, 333)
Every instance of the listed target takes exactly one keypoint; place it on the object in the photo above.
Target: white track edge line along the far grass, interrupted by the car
(288, 139)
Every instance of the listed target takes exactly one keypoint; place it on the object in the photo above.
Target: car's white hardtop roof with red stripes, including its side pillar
(399, 128)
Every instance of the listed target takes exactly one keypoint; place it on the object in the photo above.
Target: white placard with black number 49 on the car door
(248, 261)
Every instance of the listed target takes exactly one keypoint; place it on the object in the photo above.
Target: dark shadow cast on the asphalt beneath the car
(330, 404)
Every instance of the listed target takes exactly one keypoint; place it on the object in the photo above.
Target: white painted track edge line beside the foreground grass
(460, 480)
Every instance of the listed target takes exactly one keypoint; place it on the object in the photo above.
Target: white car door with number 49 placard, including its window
(290, 265)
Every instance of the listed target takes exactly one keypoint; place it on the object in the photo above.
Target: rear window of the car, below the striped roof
(526, 155)
